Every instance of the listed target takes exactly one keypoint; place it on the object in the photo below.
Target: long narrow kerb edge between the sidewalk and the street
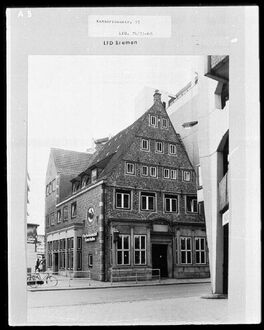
(113, 286)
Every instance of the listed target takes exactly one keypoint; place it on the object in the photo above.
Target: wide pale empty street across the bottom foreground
(168, 304)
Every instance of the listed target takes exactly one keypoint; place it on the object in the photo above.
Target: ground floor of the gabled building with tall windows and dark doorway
(124, 249)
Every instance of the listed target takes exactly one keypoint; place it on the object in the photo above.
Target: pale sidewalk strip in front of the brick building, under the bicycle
(65, 283)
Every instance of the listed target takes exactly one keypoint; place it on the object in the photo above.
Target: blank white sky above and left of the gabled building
(73, 100)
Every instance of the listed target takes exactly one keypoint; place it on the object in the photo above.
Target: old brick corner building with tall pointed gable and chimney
(134, 207)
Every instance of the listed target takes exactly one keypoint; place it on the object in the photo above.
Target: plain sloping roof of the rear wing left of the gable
(70, 162)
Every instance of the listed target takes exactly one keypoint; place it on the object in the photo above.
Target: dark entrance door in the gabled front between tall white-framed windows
(159, 258)
